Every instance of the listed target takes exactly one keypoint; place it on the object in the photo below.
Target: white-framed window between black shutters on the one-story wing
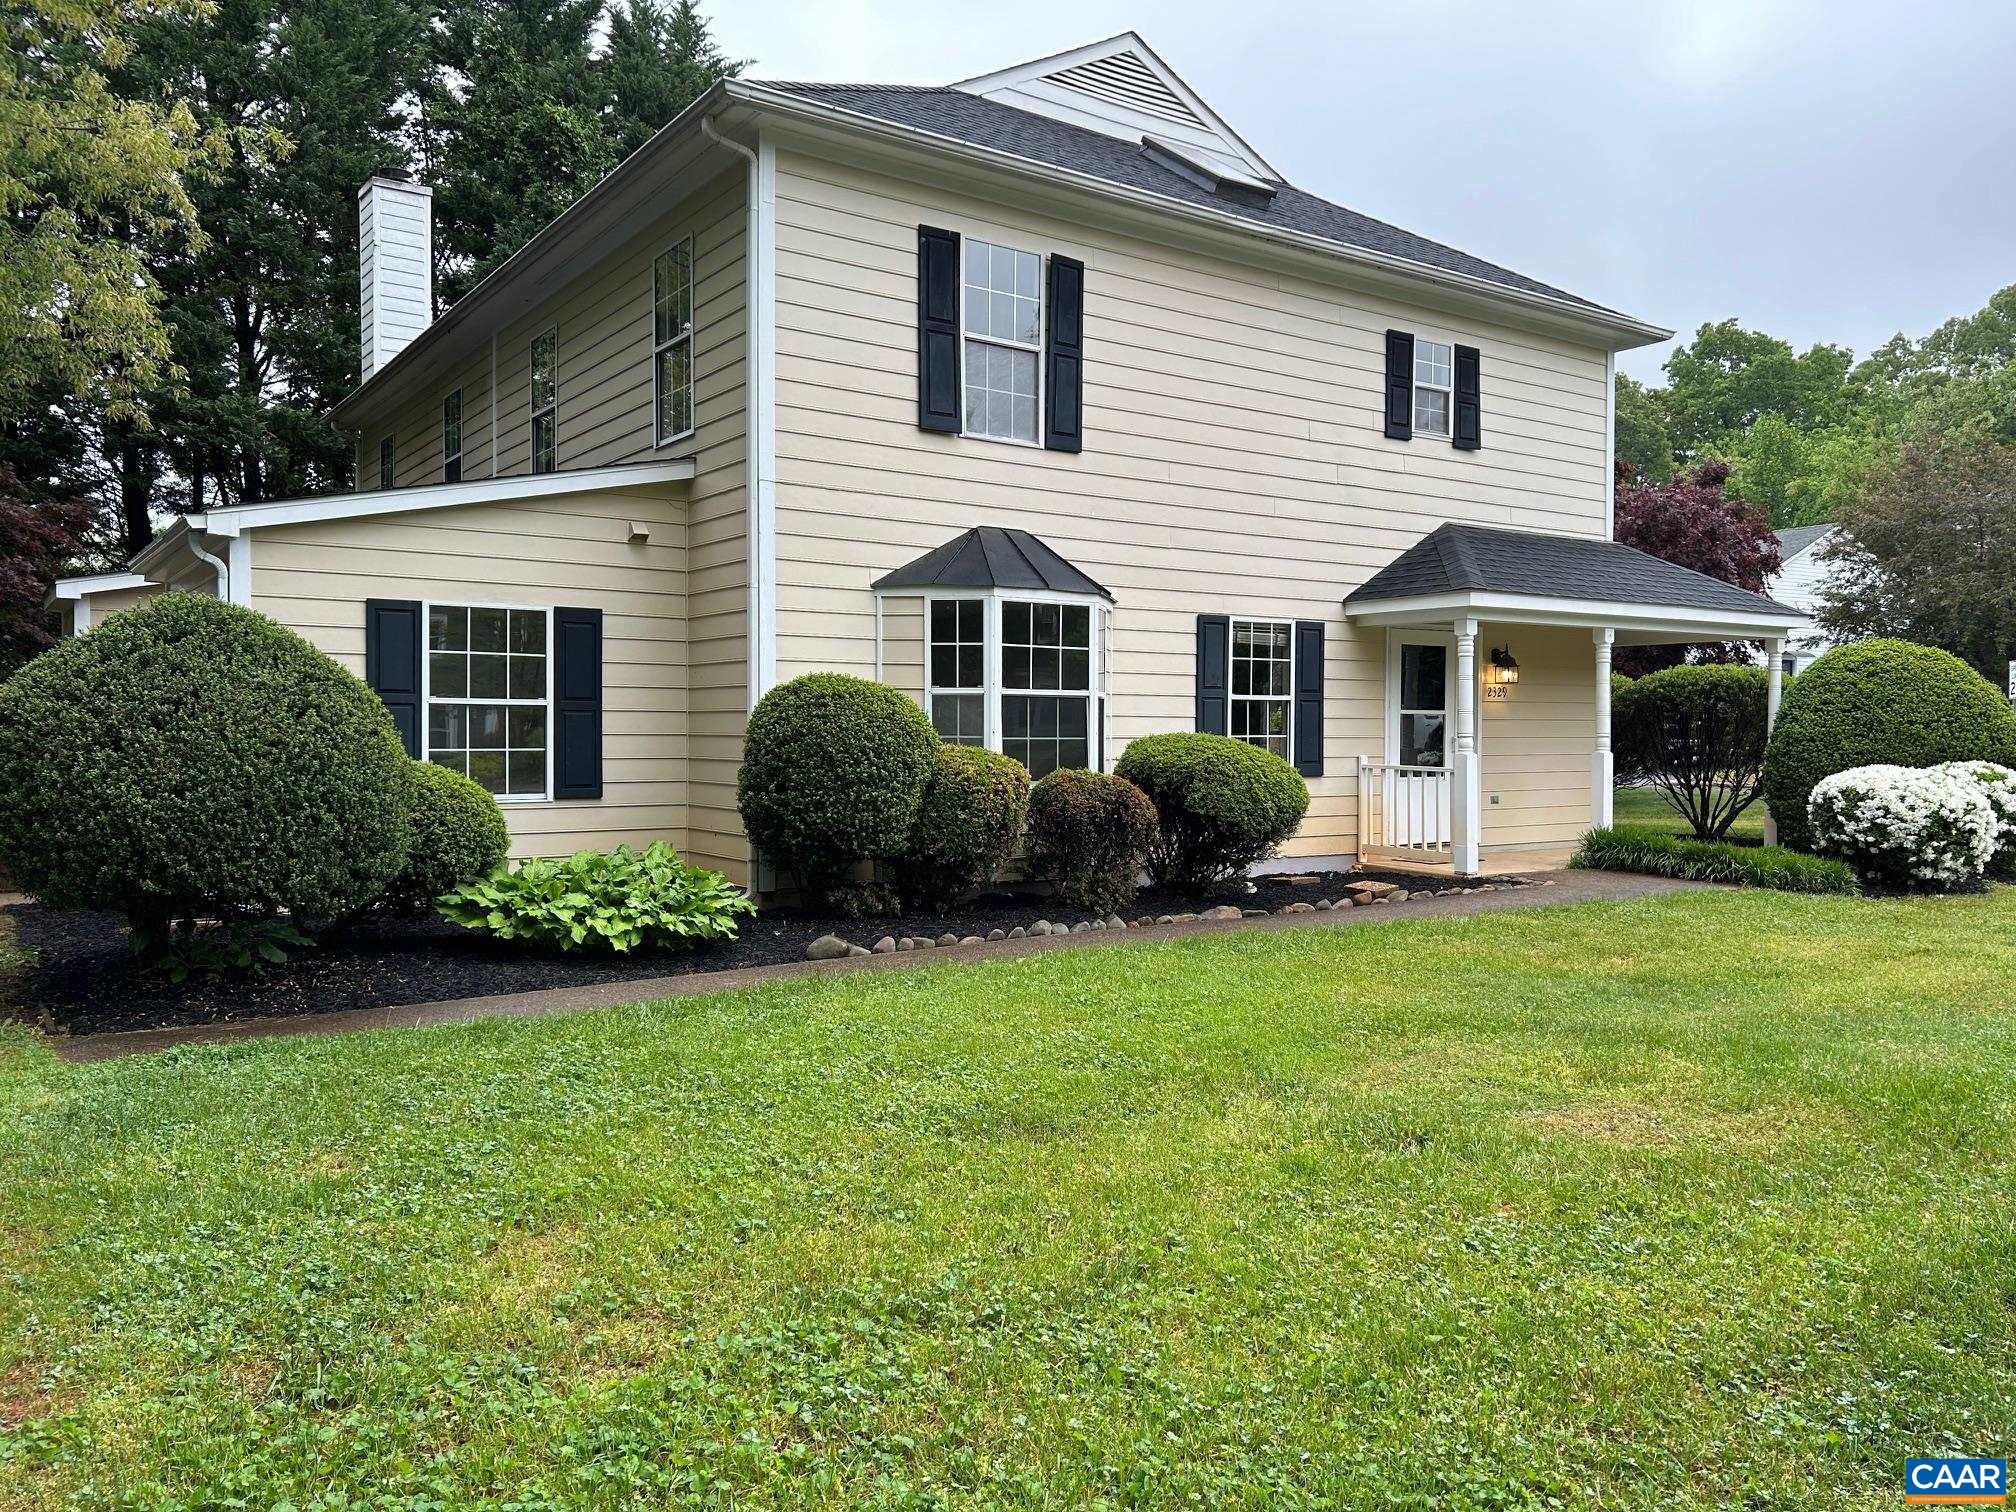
(489, 697)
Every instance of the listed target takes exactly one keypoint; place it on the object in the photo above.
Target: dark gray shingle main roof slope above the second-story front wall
(1059, 144)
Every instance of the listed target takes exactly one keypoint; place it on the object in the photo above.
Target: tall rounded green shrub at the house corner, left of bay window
(834, 771)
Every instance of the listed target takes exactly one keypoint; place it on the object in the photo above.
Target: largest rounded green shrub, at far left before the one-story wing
(193, 759)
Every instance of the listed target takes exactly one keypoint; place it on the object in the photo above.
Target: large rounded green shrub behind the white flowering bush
(1880, 705)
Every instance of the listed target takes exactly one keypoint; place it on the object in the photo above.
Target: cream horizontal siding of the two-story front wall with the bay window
(1233, 463)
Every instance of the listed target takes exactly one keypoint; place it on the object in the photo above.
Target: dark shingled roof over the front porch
(1481, 559)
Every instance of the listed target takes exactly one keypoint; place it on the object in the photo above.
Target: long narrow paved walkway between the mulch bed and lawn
(1565, 888)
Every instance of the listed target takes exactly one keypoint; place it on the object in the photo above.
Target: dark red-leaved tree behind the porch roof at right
(1692, 523)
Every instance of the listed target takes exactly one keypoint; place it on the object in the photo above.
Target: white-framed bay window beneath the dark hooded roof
(1019, 674)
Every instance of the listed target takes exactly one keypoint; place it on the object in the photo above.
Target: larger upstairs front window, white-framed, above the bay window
(1001, 301)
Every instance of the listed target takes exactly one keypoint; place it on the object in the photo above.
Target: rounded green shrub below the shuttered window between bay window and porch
(1223, 803)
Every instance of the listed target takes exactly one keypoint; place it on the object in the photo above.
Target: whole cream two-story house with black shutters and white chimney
(1041, 398)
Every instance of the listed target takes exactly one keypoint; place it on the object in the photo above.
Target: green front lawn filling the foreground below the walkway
(1684, 1203)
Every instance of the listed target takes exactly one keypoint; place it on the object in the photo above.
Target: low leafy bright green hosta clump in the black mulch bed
(604, 900)
